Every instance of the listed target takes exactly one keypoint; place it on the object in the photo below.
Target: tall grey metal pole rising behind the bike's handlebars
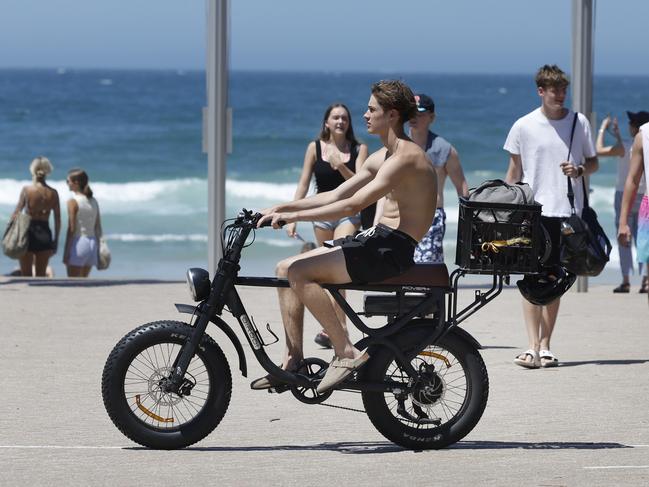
(217, 122)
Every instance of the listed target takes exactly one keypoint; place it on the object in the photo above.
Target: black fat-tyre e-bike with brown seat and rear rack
(167, 384)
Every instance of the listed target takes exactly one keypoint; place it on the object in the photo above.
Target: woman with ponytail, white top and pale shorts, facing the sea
(84, 226)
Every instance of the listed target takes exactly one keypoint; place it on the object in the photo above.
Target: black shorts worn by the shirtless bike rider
(377, 254)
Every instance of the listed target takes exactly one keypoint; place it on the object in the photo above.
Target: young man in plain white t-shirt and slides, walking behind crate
(538, 145)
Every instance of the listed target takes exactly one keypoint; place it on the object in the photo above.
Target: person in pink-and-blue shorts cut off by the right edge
(639, 165)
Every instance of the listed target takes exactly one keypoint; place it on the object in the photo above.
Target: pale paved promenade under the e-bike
(585, 423)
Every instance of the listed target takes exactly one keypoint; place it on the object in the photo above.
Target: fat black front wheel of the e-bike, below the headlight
(138, 406)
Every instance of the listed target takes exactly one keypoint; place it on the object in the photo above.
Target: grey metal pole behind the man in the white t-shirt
(582, 73)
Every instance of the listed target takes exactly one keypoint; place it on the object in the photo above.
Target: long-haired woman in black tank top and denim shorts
(332, 158)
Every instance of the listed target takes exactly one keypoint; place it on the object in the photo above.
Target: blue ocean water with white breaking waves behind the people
(138, 135)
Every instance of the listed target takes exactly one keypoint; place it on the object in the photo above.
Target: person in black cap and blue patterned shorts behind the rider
(446, 162)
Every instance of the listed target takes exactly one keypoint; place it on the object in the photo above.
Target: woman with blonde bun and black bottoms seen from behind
(39, 200)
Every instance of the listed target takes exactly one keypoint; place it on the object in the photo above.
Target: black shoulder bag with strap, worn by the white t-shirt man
(584, 245)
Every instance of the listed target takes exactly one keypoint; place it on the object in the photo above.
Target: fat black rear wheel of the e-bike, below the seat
(445, 403)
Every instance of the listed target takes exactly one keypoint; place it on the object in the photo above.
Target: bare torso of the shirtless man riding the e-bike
(410, 206)
